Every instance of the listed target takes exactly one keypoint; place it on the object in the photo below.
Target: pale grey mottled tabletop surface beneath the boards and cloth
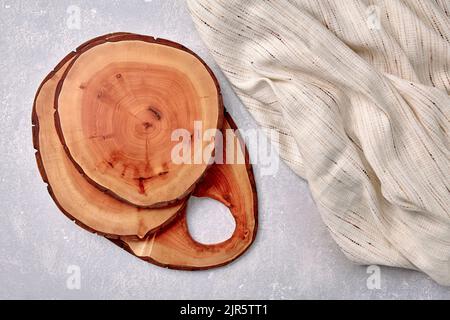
(293, 257)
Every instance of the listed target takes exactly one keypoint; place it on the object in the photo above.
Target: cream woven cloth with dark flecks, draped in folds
(358, 92)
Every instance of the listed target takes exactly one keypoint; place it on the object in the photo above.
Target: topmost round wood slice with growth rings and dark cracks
(117, 105)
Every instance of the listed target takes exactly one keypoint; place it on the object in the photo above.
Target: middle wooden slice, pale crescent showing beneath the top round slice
(80, 201)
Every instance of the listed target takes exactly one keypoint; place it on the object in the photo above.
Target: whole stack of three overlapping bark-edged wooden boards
(103, 123)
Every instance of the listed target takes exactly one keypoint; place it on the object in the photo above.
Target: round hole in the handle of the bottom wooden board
(209, 221)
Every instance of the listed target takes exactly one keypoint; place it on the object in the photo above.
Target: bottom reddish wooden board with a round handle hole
(173, 247)
